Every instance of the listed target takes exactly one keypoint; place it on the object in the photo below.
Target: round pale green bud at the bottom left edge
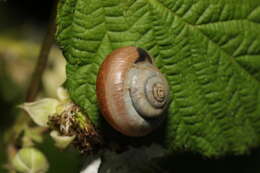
(30, 160)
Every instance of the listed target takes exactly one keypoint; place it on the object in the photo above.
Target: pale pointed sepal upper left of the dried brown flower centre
(40, 110)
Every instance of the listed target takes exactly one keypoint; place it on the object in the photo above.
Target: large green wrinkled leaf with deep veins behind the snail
(209, 51)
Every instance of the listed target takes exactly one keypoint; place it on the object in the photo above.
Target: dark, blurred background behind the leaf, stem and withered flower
(22, 29)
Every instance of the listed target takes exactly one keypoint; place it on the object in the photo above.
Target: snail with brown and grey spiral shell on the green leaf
(131, 92)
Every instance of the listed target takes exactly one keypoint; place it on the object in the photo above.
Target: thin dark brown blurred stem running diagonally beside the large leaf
(43, 57)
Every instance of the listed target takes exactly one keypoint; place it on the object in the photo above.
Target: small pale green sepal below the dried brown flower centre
(61, 142)
